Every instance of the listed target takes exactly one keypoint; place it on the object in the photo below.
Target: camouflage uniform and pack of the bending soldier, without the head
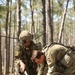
(55, 55)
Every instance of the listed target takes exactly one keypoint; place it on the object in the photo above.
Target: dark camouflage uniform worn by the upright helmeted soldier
(24, 54)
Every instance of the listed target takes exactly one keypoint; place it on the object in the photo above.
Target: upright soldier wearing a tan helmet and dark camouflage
(23, 53)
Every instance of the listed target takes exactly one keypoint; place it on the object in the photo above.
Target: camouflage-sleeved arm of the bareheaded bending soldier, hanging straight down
(51, 61)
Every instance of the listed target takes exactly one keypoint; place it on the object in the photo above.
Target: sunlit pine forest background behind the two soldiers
(48, 20)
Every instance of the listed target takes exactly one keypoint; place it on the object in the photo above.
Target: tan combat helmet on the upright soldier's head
(25, 36)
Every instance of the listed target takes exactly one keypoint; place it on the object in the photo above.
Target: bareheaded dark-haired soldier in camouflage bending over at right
(55, 60)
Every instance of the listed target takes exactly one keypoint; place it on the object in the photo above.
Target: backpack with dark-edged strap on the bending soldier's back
(68, 59)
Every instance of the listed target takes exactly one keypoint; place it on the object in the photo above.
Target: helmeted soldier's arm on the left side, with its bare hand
(18, 63)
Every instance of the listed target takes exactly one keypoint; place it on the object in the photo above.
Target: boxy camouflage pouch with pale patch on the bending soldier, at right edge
(68, 59)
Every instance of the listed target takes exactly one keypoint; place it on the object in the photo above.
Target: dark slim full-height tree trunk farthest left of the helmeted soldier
(7, 49)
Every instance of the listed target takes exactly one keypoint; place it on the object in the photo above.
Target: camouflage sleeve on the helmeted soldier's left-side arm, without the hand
(17, 59)
